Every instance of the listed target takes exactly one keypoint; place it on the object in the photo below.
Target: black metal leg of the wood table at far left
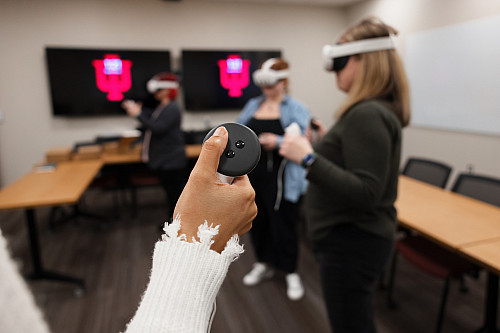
(39, 273)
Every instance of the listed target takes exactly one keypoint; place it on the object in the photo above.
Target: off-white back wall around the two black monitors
(26, 27)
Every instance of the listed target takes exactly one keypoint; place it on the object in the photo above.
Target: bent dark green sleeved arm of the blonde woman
(354, 158)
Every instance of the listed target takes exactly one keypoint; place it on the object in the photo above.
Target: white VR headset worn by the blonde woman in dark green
(330, 52)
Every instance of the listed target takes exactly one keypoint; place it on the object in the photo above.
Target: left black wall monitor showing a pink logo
(93, 82)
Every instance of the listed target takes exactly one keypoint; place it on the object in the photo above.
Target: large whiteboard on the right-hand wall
(454, 76)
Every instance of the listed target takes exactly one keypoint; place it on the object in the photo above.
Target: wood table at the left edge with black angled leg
(64, 185)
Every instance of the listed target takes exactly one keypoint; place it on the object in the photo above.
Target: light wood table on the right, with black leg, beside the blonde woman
(467, 226)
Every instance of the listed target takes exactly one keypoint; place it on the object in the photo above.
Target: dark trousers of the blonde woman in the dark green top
(351, 261)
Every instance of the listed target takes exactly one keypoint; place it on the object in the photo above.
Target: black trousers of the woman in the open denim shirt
(274, 234)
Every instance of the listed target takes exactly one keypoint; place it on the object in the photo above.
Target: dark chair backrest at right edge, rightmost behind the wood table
(482, 188)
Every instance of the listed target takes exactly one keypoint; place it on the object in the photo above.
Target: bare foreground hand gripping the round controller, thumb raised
(204, 197)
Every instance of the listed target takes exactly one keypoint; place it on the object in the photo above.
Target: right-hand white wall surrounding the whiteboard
(408, 16)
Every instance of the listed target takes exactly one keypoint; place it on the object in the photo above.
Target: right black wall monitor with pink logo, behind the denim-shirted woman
(220, 80)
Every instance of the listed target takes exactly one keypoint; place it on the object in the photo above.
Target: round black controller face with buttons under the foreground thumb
(242, 151)
